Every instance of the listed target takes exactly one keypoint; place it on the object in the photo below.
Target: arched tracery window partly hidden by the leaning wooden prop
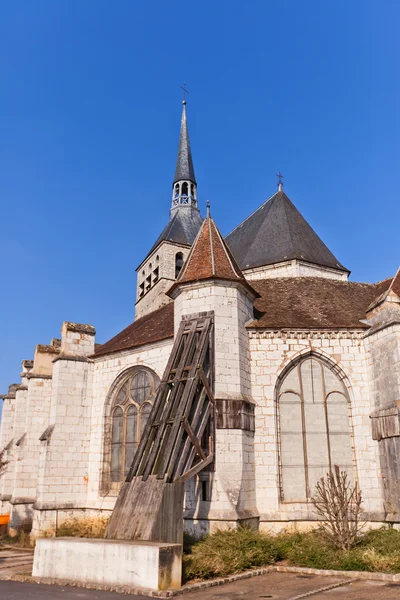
(129, 409)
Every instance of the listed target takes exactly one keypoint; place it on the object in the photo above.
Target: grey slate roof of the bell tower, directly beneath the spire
(182, 227)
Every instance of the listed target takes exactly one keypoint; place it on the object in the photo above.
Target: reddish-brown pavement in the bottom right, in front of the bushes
(291, 586)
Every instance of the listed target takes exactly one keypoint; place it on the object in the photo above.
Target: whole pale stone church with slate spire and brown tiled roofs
(305, 375)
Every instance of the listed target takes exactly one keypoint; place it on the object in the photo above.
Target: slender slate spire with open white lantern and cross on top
(184, 185)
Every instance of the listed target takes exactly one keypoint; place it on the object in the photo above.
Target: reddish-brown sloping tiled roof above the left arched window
(153, 327)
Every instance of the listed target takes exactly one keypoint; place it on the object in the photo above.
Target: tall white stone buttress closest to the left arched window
(64, 452)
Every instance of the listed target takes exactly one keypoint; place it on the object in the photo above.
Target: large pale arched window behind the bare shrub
(313, 428)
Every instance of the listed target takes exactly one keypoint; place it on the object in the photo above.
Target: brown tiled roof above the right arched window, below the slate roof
(313, 302)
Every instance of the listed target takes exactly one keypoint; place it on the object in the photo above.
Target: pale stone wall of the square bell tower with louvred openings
(150, 291)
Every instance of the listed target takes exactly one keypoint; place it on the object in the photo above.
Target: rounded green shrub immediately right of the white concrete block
(229, 551)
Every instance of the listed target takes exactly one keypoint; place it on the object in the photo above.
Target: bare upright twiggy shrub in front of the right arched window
(339, 505)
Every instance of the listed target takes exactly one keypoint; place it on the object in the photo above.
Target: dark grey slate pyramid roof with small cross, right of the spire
(277, 232)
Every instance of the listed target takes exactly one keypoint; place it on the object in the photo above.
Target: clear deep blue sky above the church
(89, 117)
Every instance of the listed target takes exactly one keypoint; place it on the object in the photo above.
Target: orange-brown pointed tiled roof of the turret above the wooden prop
(210, 258)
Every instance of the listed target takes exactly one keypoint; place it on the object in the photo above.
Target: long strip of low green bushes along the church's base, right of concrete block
(227, 552)
